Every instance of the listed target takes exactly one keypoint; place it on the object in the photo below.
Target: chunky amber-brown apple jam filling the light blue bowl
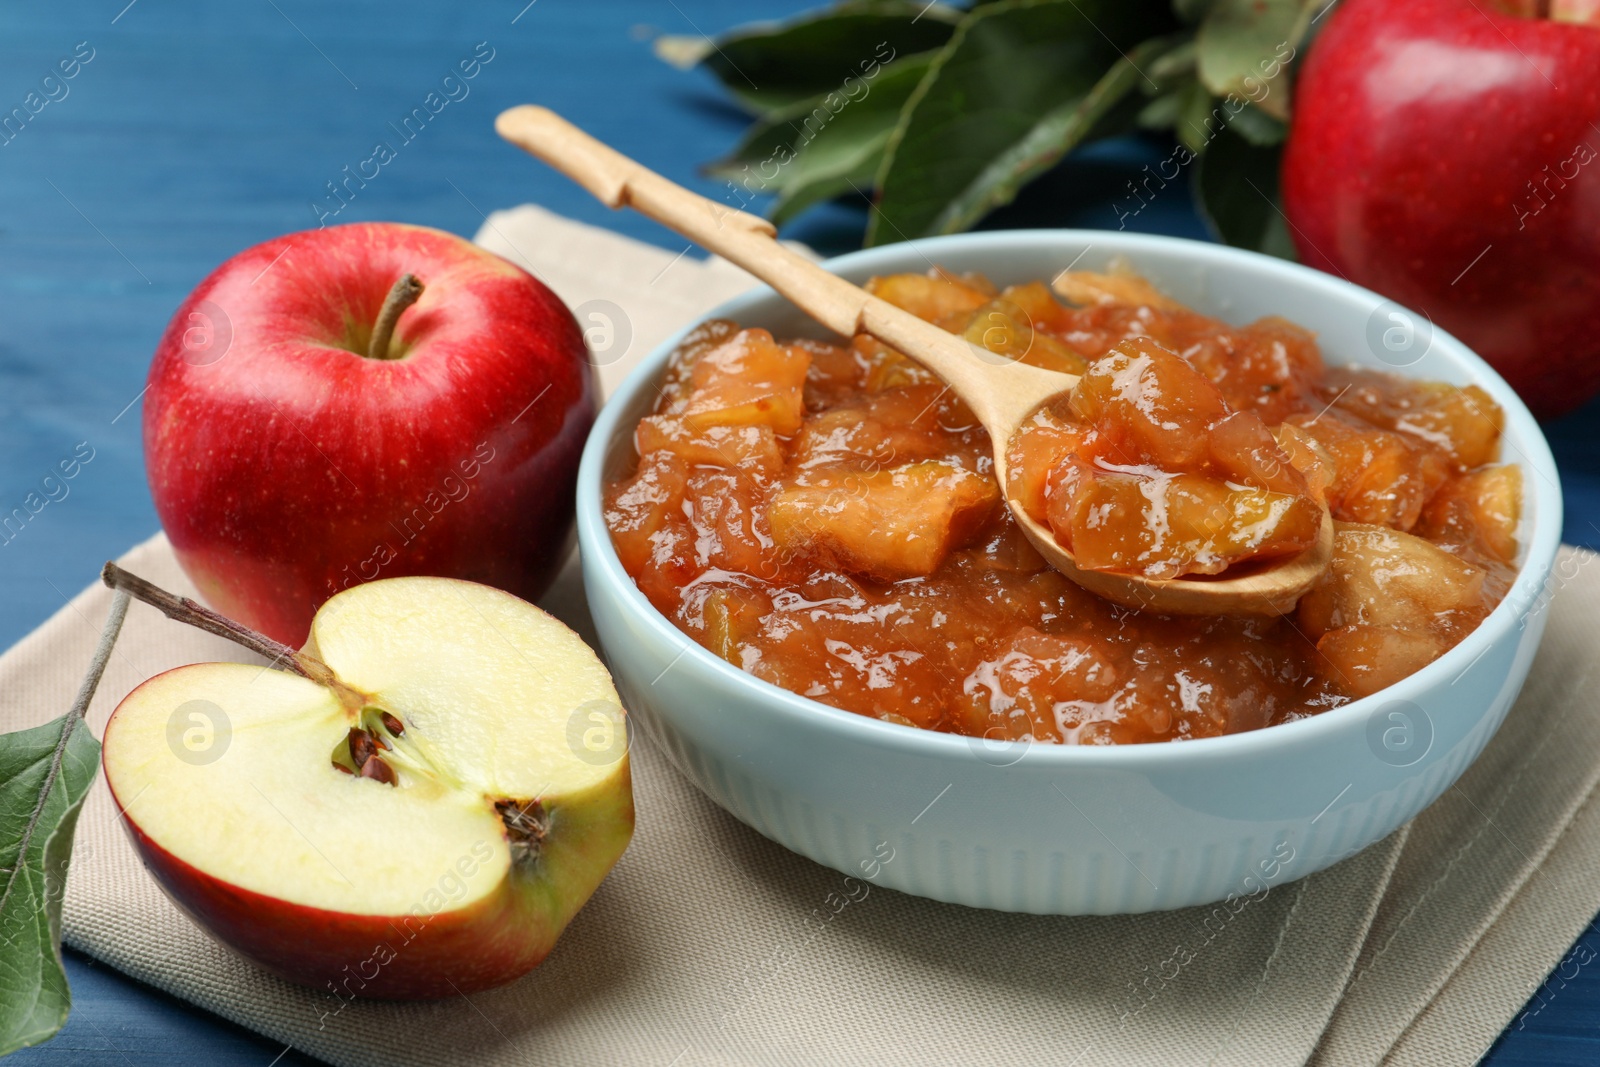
(826, 516)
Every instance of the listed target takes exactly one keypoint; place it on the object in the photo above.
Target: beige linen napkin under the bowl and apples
(700, 949)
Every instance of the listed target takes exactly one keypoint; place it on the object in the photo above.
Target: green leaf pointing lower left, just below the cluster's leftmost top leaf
(825, 148)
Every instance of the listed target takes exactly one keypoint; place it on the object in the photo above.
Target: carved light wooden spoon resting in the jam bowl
(999, 391)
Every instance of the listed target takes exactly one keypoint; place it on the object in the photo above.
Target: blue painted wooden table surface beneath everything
(193, 132)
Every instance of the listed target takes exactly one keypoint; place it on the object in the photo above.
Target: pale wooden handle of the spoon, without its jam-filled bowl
(999, 391)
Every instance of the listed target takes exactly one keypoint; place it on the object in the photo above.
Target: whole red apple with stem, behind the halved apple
(286, 466)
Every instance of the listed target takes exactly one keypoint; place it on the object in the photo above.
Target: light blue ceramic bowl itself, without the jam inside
(1057, 829)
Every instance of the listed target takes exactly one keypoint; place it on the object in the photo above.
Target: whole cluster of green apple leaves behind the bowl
(945, 111)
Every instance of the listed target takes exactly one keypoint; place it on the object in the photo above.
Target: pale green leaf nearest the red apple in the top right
(1246, 49)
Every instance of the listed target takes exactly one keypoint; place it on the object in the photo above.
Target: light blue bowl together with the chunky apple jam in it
(814, 596)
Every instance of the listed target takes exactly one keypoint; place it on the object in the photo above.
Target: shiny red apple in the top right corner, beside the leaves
(1418, 129)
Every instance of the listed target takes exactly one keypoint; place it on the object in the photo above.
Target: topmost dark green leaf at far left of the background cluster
(775, 66)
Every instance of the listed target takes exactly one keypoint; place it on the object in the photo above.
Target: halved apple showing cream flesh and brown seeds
(500, 802)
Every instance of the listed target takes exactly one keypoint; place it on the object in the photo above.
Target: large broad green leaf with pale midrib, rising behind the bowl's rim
(1018, 86)
